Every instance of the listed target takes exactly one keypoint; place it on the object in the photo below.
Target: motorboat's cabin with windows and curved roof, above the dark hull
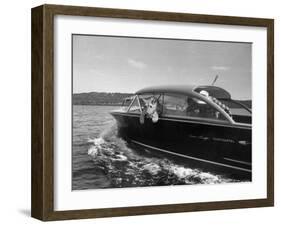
(204, 103)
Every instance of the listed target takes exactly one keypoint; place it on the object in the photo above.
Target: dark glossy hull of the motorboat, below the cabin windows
(211, 146)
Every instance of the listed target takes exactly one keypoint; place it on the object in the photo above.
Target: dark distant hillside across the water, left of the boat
(97, 98)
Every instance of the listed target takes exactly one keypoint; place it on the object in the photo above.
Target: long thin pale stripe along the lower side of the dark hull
(194, 158)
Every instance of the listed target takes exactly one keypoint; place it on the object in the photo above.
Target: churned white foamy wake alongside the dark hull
(126, 167)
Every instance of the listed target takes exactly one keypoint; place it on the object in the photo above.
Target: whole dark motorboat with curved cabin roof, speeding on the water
(201, 124)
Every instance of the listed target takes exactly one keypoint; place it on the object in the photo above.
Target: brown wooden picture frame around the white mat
(42, 203)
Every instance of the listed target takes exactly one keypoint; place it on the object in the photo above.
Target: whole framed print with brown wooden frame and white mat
(141, 112)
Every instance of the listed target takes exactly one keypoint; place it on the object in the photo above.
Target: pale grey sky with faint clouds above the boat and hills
(125, 64)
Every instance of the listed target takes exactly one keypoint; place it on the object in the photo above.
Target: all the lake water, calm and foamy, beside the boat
(100, 159)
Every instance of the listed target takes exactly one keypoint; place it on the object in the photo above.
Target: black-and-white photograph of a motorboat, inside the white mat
(160, 112)
